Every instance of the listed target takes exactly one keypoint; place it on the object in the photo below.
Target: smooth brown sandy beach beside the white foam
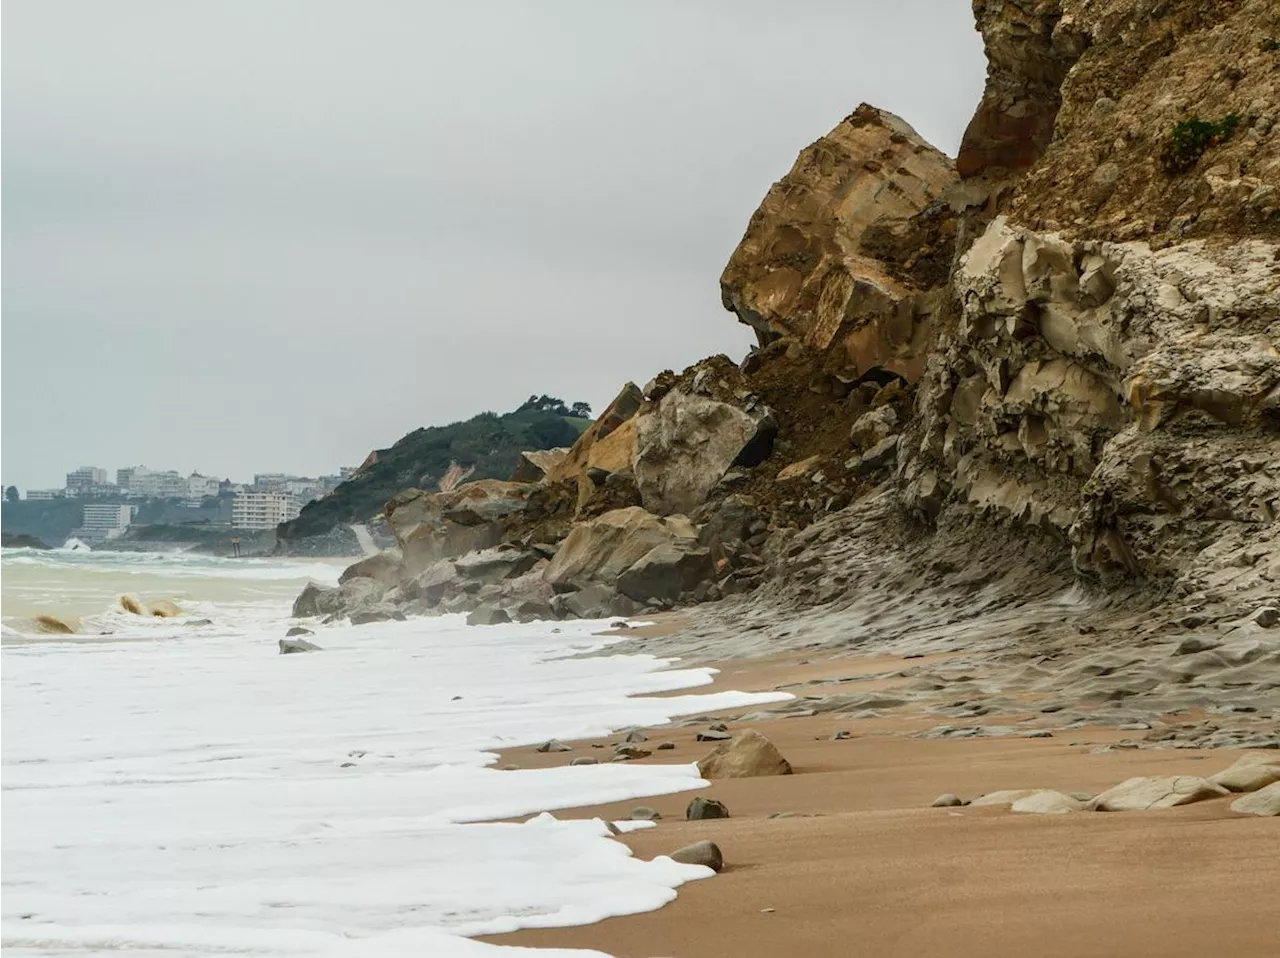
(861, 865)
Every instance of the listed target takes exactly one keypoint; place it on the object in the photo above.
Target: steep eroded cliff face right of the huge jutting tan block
(1101, 377)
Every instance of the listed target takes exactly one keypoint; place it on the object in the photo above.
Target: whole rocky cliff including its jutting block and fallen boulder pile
(1053, 363)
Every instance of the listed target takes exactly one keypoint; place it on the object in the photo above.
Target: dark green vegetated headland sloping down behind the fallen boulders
(490, 445)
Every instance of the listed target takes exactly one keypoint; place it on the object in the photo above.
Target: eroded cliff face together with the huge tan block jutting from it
(1096, 366)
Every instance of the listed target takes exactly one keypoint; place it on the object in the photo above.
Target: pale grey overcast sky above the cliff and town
(269, 236)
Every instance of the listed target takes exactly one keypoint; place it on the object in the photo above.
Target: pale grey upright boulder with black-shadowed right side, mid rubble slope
(687, 446)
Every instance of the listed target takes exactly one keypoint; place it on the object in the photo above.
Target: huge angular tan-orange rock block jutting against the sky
(816, 262)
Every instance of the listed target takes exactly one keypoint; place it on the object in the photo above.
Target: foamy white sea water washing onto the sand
(171, 788)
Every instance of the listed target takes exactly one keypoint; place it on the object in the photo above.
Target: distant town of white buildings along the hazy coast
(111, 508)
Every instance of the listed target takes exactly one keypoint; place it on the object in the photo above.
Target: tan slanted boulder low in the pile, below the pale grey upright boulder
(604, 549)
